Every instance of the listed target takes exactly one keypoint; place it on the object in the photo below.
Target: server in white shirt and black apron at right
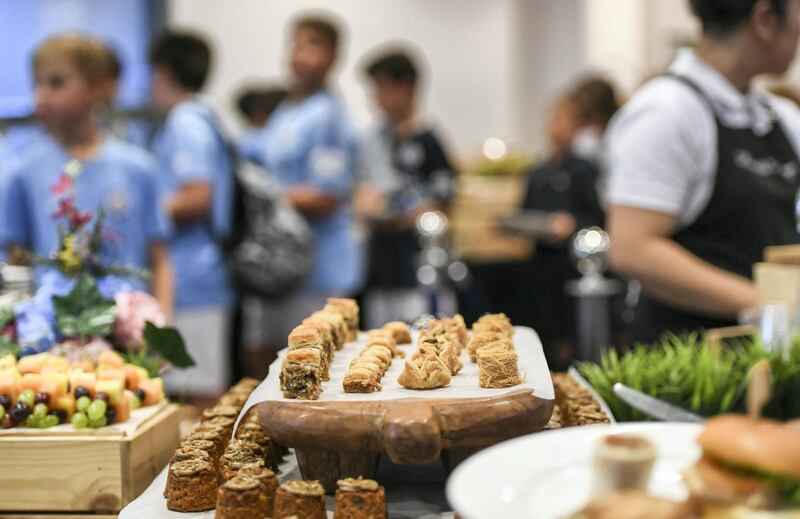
(704, 170)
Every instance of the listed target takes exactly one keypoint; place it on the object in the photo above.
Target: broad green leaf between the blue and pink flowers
(84, 312)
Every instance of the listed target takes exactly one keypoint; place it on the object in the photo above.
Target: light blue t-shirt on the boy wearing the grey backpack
(190, 149)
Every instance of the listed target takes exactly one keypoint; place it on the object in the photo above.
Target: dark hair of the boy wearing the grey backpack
(186, 55)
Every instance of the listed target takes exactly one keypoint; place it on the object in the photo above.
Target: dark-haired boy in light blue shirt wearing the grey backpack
(198, 176)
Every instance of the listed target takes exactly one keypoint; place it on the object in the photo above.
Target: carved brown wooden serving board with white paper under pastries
(345, 437)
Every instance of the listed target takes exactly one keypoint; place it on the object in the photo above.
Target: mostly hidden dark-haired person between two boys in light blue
(255, 105)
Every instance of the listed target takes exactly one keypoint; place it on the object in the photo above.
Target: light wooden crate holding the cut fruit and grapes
(83, 472)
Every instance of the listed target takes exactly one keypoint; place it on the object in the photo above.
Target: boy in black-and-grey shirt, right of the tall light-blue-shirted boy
(406, 171)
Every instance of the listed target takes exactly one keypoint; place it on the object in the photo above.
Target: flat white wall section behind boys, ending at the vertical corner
(468, 42)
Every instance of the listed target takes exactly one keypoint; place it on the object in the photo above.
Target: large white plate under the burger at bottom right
(548, 475)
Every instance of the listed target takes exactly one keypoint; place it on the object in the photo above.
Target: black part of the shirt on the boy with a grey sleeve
(422, 173)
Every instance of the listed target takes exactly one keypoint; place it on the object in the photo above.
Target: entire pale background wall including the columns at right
(494, 67)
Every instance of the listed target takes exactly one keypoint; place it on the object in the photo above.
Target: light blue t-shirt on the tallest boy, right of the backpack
(312, 143)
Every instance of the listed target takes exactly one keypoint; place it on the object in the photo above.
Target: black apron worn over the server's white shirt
(752, 206)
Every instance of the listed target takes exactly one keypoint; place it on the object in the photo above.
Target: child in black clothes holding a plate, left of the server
(564, 188)
